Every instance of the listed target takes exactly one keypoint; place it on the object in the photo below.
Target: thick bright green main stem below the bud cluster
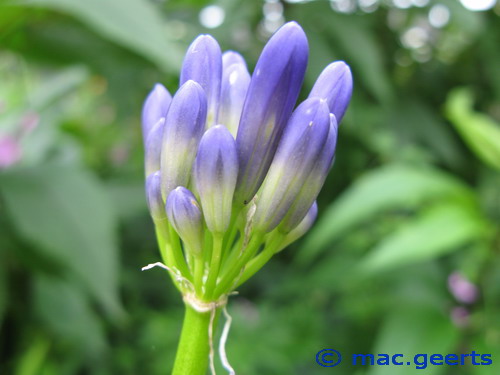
(193, 350)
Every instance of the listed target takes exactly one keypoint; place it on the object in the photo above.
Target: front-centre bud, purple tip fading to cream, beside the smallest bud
(215, 174)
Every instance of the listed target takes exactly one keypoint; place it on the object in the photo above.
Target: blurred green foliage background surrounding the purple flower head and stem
(414, 195)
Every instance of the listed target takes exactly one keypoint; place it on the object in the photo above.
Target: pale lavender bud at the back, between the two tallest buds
(235, 81)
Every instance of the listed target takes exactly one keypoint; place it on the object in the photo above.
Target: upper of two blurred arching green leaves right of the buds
(383, 189)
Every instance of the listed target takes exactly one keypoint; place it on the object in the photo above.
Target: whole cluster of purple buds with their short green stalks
(232, 170)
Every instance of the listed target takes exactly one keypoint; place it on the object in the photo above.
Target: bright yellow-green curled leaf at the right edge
(479, 131)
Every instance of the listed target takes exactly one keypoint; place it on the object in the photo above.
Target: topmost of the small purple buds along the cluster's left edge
(155, 107)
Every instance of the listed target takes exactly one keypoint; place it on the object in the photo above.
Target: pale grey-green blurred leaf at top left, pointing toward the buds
(134, 24)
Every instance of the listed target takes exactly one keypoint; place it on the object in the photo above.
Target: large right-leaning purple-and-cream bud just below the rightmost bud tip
(297, 154)
